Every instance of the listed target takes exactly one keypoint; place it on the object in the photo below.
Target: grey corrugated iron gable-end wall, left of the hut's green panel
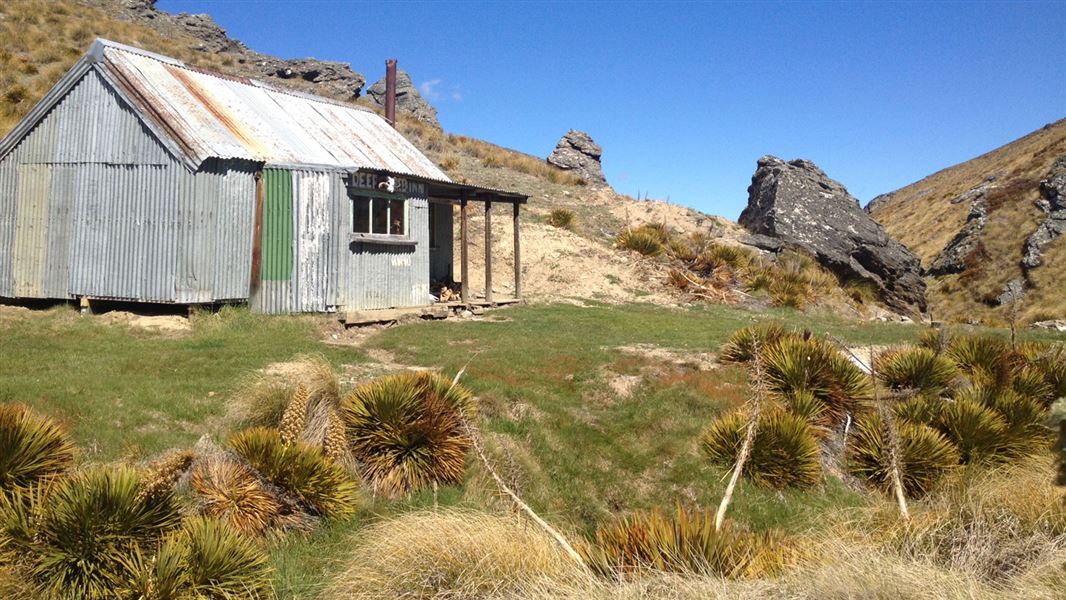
(92, 205)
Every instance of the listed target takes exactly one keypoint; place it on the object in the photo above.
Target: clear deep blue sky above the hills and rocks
(685, 98)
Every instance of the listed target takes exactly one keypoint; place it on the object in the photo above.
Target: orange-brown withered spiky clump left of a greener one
(228, 491)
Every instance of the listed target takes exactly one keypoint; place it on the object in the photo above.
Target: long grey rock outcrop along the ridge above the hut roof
(331, 79)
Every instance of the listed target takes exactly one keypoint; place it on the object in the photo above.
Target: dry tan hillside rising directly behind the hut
(45, 39)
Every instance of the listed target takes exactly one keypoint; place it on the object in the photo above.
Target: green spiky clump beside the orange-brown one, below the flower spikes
(302, 471)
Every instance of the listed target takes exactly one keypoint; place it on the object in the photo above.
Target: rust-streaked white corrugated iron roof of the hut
(212, 116)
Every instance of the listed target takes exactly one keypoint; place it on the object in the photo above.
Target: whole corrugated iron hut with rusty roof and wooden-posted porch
(140, 179)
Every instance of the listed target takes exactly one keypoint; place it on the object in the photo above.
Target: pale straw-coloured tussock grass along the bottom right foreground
(988, 534)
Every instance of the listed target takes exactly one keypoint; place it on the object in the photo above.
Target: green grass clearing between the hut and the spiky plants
(577, 449)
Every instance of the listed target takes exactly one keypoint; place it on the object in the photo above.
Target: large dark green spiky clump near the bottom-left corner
(91, 525)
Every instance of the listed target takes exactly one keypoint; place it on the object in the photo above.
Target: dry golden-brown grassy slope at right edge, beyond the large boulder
(923, 217)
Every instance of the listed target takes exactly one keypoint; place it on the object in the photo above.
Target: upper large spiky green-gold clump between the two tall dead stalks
(795, 366)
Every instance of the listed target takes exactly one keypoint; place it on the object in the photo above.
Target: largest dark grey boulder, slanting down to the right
(798, 204)
